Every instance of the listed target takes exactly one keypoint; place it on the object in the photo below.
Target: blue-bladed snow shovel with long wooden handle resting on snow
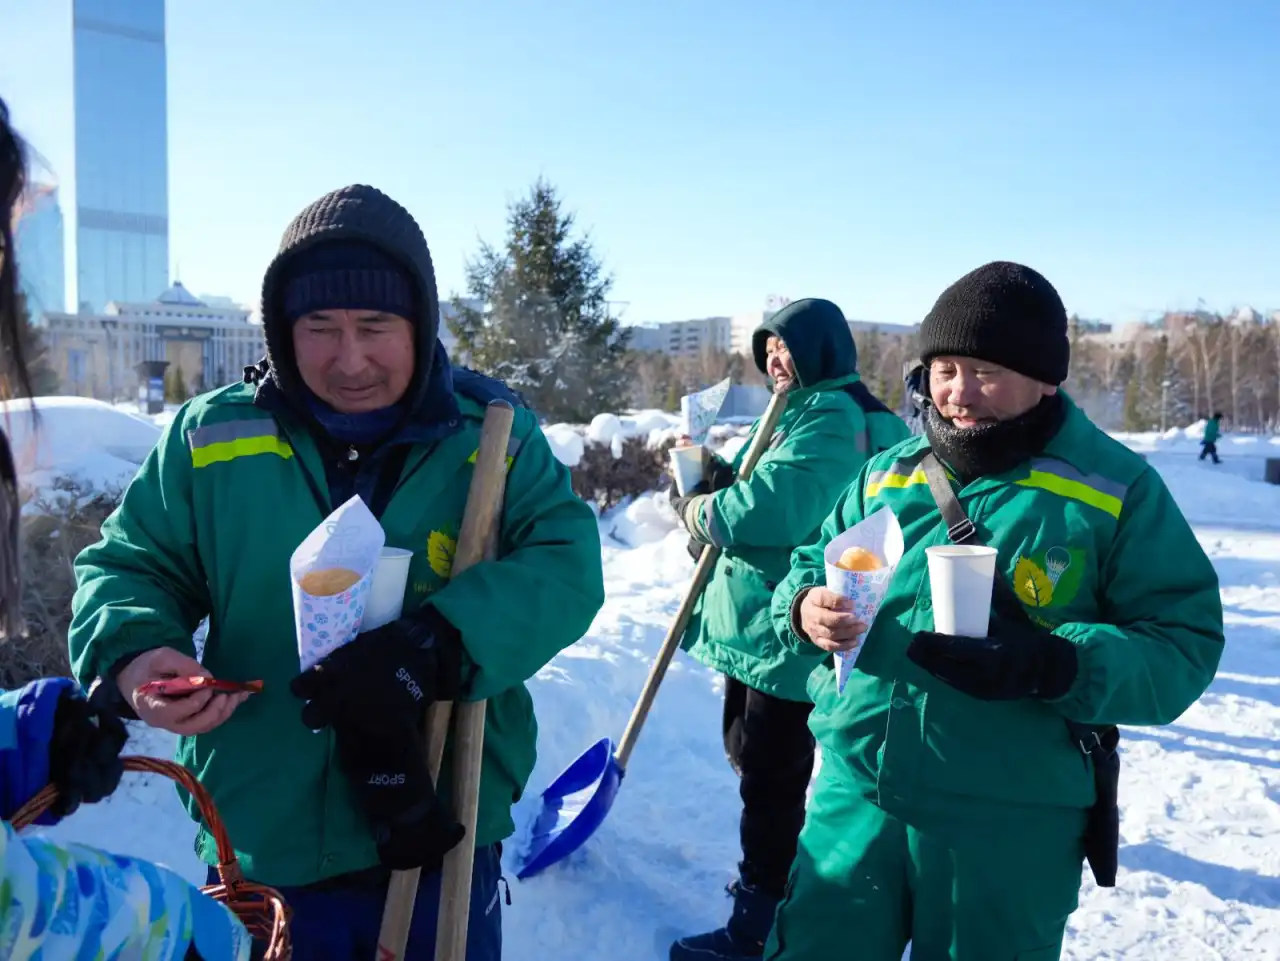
(578, 802)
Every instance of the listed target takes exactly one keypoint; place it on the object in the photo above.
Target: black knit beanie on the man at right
(1005, 314)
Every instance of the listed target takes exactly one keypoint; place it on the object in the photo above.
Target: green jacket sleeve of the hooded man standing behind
(794, 487)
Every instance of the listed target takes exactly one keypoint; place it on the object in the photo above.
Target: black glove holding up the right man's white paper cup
(1016, 662)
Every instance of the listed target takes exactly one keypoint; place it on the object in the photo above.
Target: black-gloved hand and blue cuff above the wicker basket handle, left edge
(61, 739)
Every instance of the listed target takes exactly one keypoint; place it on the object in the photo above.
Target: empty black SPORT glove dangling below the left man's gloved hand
(387, 770)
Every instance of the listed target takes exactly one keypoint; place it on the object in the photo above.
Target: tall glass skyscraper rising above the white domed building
(122, 152)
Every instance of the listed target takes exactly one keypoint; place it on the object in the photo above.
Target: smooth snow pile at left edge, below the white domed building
(90, 442)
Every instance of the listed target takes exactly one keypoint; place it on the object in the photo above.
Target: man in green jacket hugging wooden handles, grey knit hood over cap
(322, 779)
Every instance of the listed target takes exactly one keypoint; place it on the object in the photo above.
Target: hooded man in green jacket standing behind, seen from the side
(831, 425)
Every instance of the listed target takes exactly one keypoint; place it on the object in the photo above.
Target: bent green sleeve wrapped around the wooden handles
(519, 612)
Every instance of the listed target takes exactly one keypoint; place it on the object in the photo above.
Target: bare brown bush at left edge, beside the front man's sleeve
(57, 525)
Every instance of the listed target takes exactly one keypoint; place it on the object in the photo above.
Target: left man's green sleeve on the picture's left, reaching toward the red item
(141, 587)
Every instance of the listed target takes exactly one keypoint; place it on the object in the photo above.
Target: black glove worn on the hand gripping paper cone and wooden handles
(388, 676)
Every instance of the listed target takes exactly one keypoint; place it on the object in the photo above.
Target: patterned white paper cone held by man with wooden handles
(350, 538)
